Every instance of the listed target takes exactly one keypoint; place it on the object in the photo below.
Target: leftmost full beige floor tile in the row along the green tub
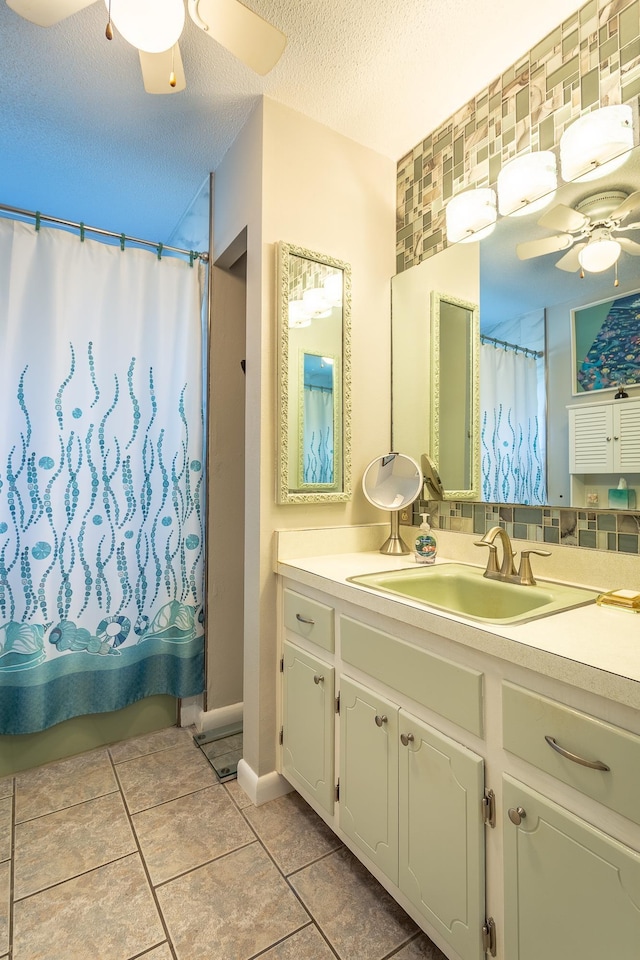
(58, 785)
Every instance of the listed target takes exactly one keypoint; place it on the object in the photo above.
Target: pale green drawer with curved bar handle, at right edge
(527, 718)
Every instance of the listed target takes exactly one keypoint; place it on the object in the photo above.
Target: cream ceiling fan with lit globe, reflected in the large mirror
(589, 232)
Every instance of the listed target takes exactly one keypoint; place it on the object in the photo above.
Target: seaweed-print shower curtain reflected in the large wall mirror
(511, 430)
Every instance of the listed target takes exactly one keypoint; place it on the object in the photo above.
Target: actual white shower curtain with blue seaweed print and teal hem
(101, 477)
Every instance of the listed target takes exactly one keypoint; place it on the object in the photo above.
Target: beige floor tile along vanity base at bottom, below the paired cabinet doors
(355, 913)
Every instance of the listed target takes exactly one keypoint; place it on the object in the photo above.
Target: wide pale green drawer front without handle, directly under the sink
(453, 691)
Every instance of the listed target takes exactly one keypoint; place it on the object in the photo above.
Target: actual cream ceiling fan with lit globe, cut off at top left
(154, 26)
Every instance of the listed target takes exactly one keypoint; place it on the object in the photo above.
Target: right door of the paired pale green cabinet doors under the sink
(441, 854)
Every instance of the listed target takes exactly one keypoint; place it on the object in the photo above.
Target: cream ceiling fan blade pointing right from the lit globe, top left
(246, 35)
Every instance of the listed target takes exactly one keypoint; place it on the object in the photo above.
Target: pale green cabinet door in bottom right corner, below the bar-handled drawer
(570, 890)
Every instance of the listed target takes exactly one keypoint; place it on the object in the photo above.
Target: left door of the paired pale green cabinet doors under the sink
(369, 774)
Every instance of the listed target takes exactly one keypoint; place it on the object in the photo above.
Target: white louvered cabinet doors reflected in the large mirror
(605, 437)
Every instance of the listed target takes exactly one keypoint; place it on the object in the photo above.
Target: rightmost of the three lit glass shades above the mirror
(597, 143)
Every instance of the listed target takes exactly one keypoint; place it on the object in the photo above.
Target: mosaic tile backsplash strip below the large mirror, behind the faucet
(577, 527)
